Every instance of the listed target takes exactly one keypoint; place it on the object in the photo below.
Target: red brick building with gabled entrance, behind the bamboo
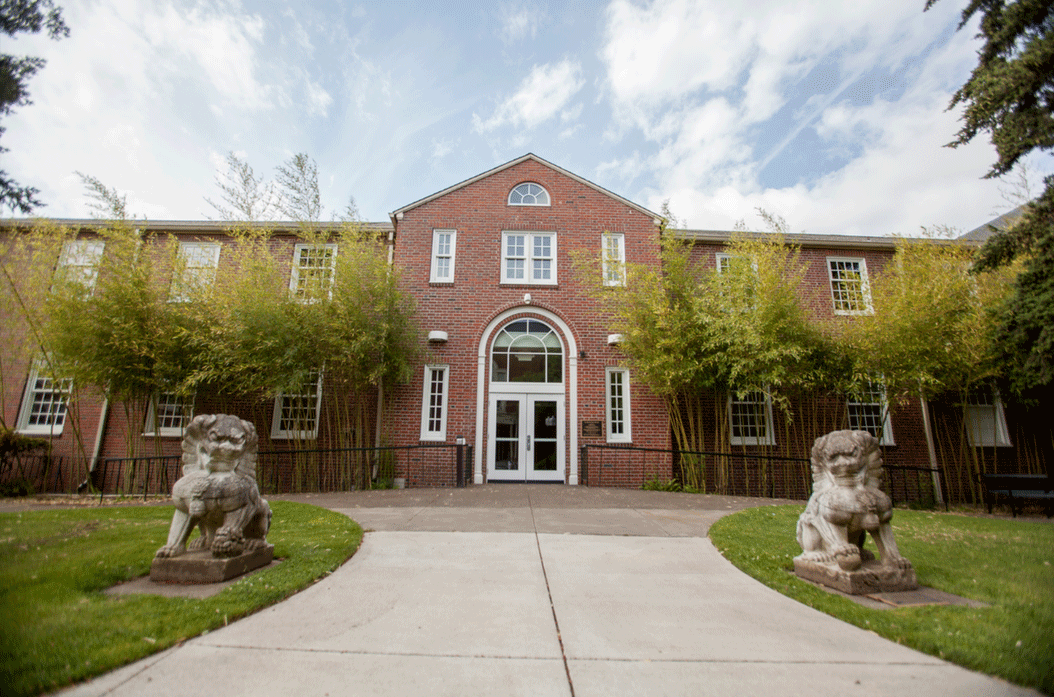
(520, 362)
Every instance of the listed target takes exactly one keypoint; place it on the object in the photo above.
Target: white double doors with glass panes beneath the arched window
(526, 438)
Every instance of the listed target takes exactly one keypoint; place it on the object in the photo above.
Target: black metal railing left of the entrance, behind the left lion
(298, 472)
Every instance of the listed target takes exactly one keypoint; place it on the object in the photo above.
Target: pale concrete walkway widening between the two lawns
(539, 591)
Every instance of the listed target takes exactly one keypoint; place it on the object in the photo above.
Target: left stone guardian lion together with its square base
(219, 495)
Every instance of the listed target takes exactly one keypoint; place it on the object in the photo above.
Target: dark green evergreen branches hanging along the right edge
(1011, 96)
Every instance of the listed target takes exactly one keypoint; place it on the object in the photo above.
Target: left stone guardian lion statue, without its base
(218, 492)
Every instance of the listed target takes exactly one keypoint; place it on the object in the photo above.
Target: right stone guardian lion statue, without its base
(847, 505)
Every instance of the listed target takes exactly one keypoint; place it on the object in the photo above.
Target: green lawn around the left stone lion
(56, 625)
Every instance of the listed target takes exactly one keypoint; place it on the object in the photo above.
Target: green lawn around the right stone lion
(1007, 565)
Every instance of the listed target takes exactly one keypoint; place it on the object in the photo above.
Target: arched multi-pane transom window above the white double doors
(528, 352)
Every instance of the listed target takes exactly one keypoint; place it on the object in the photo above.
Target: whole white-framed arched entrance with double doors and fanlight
(532, 374)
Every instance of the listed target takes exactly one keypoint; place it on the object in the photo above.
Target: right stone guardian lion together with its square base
(847, 505)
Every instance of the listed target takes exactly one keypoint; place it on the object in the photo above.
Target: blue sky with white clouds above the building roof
(831, 115)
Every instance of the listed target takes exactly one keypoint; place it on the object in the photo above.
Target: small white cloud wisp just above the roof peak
(543, 95)
